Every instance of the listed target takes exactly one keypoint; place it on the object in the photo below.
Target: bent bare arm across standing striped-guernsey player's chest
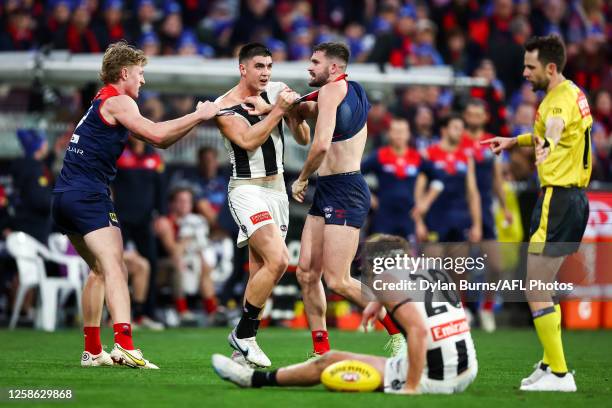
(251, 137)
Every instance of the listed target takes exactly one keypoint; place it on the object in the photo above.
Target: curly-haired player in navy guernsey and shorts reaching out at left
(82, 206)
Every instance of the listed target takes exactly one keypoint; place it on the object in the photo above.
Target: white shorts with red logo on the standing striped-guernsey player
(253, 207)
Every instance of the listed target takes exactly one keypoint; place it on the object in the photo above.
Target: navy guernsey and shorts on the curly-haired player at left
(81, 197)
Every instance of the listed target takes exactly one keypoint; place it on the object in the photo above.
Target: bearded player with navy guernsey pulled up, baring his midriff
(342, 200)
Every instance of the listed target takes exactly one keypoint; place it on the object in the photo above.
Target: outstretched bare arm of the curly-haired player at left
(124, 110)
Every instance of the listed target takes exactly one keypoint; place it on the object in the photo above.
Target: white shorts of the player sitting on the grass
(396, 369)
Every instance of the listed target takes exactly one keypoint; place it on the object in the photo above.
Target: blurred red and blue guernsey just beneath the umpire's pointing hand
(484, 162)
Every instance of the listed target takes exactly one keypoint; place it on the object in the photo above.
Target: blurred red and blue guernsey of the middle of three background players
(449, 216)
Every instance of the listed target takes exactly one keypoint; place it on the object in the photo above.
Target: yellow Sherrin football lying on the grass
(351, 375)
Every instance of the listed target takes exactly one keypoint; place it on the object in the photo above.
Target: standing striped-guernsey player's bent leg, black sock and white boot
(266, 245)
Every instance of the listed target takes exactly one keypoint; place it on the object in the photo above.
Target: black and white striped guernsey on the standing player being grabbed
(267, 159)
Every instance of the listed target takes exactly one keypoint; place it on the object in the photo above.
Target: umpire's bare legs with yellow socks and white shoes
(551, 374)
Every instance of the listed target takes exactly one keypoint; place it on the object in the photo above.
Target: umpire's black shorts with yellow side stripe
(558, 221)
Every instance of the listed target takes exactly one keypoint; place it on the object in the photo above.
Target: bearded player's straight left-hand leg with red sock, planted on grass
(309, 273)
